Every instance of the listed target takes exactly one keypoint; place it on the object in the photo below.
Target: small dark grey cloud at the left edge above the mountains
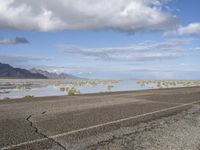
(17, 40)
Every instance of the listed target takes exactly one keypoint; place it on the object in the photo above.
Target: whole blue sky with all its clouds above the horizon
(115, 39)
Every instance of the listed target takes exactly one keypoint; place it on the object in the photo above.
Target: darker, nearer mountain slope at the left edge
(9, 72)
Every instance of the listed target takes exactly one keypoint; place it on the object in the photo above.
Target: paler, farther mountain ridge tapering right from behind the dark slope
(51, 75)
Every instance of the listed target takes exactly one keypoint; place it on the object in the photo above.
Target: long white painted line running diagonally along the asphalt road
(96, 126)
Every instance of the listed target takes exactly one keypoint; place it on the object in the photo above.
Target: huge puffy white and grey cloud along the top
(122, 15)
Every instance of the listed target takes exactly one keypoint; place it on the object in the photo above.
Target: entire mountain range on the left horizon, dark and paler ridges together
(9, 72)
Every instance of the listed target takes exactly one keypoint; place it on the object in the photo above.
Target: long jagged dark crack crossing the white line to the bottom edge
(45, 136)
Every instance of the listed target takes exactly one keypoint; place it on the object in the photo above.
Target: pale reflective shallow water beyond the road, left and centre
(10, 90)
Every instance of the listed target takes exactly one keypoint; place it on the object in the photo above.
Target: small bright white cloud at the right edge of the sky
(191, 29)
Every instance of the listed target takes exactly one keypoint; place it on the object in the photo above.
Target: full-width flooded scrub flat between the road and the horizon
(40, 88)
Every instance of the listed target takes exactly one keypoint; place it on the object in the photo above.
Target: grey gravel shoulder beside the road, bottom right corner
(178, 132)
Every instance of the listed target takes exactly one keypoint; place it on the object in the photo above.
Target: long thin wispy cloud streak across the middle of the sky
(146, 51)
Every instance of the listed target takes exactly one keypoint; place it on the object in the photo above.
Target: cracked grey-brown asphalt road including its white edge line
(62, 122)
